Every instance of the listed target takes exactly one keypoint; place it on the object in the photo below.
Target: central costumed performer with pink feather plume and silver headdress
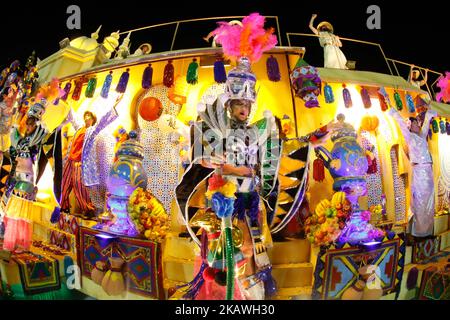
(229, 152)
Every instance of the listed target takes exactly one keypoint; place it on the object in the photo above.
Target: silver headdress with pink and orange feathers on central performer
(244, 42)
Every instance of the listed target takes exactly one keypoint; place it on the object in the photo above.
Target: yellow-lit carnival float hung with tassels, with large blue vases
(237, 171)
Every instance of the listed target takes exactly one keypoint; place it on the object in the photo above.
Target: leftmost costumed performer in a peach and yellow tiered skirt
(25, 153)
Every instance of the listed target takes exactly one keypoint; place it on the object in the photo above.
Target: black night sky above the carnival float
(408, 32)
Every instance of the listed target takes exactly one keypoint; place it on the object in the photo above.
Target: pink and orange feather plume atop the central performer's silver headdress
(247, 40)
